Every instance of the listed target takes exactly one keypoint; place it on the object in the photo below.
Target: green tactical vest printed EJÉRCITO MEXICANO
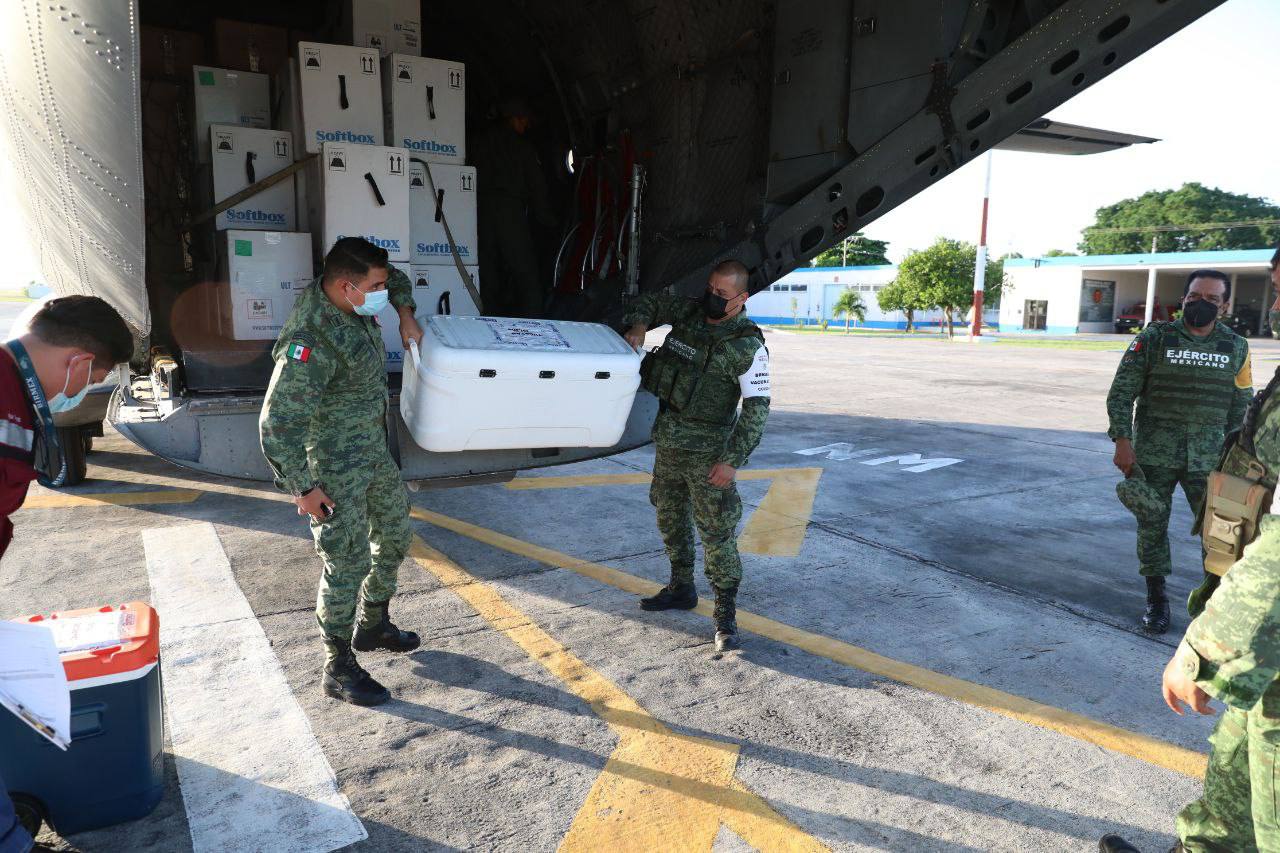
(1191, 382)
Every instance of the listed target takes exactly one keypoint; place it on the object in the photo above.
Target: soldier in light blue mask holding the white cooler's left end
(324, 434)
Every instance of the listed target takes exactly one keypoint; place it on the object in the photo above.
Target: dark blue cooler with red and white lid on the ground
(115, 770)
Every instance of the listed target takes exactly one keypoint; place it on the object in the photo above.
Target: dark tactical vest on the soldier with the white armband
(674, 373)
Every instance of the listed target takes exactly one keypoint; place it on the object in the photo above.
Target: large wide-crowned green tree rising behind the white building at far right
(1191, 206)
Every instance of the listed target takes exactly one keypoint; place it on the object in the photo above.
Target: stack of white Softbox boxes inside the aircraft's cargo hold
(387, 129)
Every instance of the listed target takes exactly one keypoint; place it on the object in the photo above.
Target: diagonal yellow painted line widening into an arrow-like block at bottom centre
(659, 790)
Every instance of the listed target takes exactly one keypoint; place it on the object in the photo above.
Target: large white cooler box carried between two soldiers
(496, 384)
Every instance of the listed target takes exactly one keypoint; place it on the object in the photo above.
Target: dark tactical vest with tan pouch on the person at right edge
(1240, 492)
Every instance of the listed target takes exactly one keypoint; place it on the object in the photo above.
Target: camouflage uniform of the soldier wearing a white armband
(689, 444)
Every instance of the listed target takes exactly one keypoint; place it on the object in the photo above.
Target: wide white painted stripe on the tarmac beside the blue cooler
(253, 776)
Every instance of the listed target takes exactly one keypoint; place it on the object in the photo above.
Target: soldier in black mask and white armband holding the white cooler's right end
(712, 358)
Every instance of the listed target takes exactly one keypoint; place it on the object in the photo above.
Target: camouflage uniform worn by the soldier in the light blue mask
(324, 423)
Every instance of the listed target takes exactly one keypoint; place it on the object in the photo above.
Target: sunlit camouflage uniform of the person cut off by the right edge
(1233, 650)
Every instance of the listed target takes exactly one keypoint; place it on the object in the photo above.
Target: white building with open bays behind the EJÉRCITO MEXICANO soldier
(1109, 293)
